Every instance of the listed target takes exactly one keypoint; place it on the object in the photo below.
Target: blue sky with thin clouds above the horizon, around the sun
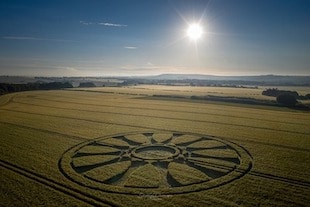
(149, 37)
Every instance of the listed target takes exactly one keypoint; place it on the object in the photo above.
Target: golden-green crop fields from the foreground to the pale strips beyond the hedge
(123, 147)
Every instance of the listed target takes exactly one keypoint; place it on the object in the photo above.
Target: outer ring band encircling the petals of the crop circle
(65, 166)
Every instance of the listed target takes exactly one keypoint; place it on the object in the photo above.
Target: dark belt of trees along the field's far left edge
(10, 88)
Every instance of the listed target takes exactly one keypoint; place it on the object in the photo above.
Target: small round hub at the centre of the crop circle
(155, 152)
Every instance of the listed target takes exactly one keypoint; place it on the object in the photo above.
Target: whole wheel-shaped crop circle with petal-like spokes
(155, 162)
